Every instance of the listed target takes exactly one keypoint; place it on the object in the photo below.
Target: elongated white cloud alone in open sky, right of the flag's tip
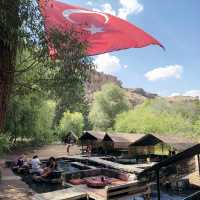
(162, 73)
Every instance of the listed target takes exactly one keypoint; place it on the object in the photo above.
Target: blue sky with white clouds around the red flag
(176, 24)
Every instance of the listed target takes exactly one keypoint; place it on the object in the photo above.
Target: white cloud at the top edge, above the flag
(129, 7)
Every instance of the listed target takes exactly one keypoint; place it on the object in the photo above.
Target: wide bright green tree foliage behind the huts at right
(160, 116)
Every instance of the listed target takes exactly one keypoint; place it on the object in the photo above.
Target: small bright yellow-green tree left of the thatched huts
(71, 122)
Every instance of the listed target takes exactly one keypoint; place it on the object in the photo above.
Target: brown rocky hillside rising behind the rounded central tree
(97, 80)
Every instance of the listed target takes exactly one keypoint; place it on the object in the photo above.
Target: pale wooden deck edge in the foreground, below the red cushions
(120, 188)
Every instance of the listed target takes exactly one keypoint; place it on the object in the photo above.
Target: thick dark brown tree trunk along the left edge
(8, 47)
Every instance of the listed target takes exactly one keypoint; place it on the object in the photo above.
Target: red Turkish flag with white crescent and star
(103, 32)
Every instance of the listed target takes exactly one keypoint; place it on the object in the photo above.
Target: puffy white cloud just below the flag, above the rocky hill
(107, 63)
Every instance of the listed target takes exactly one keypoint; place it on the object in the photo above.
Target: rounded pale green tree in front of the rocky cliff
(107, 104)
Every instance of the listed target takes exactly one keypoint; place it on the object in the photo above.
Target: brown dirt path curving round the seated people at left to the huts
(12, 187)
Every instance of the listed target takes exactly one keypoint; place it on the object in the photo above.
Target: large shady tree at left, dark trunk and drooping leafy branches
(23, 48)
